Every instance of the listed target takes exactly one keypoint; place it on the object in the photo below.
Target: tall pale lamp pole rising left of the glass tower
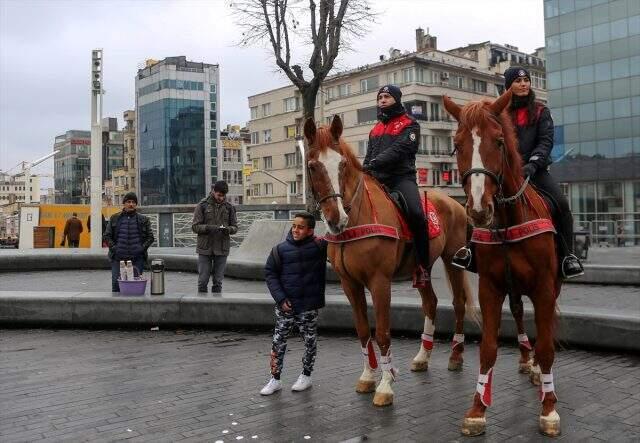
(96, 149)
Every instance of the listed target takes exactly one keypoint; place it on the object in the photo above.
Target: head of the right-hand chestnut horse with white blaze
(480, 152)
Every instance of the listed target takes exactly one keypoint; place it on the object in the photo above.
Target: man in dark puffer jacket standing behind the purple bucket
(128, 236)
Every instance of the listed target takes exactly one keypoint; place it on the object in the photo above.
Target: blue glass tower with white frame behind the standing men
(176, 131)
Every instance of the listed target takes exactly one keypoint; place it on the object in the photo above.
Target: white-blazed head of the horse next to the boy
(325, 163)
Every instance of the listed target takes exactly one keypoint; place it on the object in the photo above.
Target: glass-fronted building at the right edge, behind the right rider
(593, 82)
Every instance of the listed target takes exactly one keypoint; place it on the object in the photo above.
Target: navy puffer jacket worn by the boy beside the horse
(298, 273)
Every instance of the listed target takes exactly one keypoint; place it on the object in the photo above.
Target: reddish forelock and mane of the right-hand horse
(477, 114)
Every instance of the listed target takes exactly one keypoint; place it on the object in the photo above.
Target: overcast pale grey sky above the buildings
(45, 50)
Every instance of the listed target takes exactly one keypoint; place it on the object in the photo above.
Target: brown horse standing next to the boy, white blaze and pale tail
(349, 198)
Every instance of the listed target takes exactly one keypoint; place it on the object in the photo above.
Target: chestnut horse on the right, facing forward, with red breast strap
(499, 200)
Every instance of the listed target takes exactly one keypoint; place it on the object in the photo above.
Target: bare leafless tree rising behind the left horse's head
(332, 26)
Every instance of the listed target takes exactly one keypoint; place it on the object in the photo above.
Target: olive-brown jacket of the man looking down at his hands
(208, 216)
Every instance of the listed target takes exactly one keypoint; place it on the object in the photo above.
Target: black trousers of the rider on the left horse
(408, 187)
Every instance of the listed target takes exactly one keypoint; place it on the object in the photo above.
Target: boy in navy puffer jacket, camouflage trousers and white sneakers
(295, 275)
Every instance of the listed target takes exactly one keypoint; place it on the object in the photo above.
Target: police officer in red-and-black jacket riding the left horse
(391, 159)
